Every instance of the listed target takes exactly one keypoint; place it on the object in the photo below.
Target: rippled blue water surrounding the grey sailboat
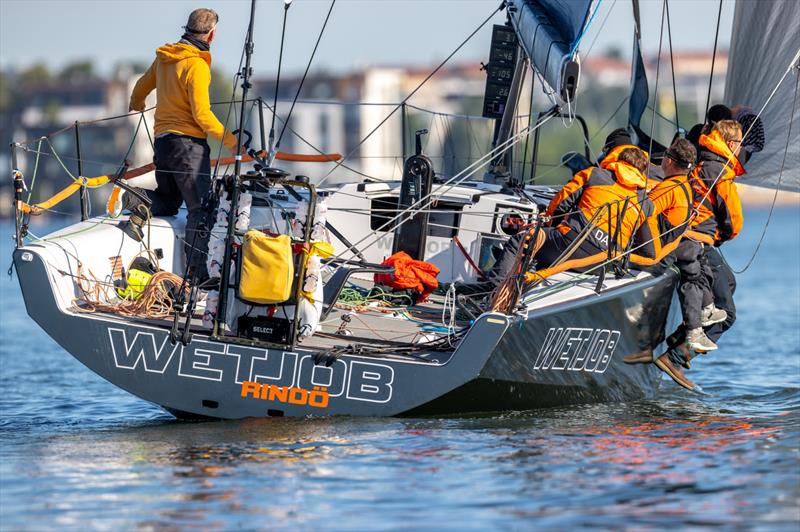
(78, 452)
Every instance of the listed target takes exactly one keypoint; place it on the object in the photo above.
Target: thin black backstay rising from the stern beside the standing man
(219, 321)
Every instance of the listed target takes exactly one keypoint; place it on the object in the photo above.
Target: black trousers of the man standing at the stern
(183, 174)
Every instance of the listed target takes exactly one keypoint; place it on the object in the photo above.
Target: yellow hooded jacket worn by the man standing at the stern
(181, 75)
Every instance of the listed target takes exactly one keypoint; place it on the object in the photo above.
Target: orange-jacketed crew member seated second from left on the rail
(659, 236)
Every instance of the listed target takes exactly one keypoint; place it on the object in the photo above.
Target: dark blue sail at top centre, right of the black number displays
(548, 31)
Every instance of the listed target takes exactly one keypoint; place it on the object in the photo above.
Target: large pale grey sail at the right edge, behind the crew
(764, 43)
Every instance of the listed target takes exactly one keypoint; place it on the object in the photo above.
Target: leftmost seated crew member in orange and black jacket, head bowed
(611, 198)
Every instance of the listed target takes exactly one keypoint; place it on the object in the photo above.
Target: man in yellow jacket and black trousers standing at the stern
(181, 75)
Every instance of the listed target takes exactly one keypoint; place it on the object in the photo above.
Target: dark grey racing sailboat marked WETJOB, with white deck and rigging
(218, 351)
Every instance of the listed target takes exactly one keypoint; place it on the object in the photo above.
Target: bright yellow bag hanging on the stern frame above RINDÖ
(267, 268)
